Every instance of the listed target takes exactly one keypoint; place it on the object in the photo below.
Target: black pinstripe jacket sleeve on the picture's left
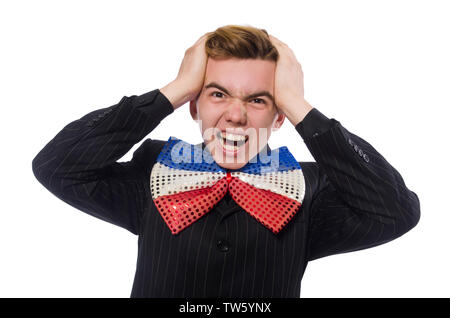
(79, 165)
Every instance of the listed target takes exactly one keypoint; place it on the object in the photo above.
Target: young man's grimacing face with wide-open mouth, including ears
(235, 123)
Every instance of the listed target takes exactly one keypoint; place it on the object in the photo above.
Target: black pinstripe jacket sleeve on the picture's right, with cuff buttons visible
(362, 201)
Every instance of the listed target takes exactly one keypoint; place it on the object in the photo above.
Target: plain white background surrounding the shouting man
(379, 67)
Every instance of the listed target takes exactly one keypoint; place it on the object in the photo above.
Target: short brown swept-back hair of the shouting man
(237, 41)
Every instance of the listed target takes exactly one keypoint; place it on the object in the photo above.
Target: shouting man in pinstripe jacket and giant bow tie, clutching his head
(240, 83)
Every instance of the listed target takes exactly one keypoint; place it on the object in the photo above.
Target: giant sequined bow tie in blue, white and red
(186, 183)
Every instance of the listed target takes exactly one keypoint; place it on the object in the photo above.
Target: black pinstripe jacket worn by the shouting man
(354, 200)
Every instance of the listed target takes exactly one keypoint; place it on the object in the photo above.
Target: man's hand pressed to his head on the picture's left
(190, 78)
